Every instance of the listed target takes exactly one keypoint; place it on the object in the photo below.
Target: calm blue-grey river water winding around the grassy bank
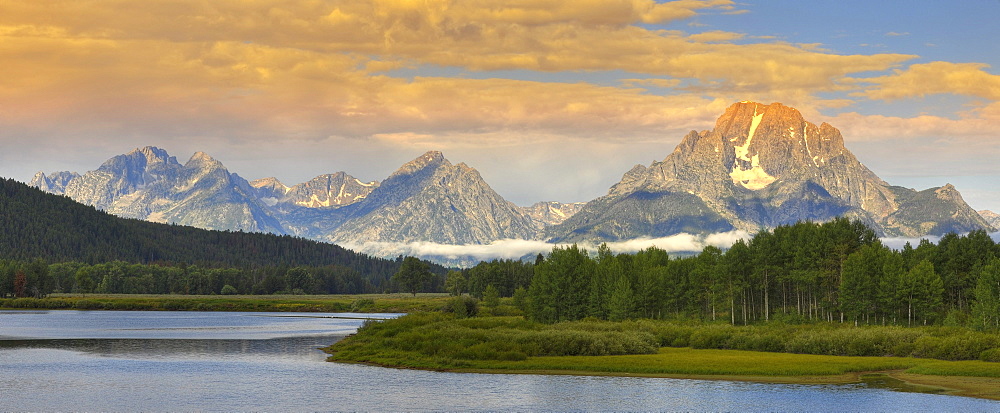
(129, 361)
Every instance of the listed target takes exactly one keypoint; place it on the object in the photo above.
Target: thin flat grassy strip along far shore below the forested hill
(372, 303)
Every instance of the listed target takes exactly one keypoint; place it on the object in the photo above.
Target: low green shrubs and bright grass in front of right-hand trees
(439, 341)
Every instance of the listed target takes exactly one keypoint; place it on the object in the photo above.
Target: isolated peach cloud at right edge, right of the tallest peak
(924, 79)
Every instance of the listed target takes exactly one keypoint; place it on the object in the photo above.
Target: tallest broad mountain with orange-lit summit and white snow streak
(761, 166)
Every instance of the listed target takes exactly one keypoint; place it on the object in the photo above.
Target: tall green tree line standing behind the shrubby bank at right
(834, 271)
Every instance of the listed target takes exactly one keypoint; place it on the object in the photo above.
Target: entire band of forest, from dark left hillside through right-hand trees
(834, 271)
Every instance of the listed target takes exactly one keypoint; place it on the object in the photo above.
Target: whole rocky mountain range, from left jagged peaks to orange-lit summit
(761, 166)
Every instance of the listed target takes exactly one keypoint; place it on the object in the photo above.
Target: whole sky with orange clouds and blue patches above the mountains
(550, 100)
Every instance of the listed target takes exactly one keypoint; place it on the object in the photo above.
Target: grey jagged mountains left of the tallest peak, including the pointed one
(427, 199)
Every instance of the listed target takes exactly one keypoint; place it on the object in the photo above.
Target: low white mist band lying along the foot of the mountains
(515, 249)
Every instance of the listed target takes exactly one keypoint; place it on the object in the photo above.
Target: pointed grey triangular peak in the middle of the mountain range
(429, 199)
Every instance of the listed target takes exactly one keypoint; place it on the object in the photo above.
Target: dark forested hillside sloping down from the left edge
(99, 252)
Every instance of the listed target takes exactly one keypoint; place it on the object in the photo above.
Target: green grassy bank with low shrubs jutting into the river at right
(513, 345)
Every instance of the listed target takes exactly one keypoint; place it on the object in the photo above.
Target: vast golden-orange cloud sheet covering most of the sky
(316, 69)
